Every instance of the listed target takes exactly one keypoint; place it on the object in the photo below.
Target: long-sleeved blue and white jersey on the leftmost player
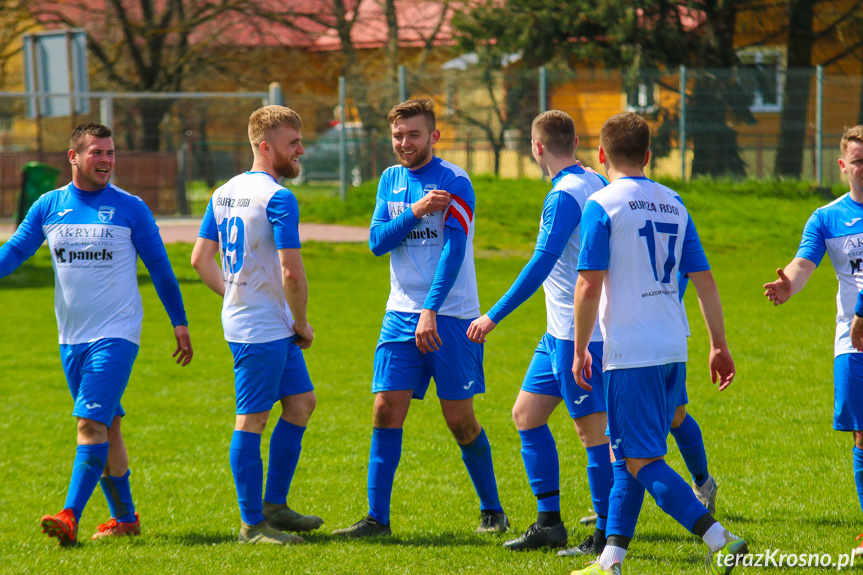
(95, 239)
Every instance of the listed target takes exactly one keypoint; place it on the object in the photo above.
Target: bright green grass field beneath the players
(785, 476)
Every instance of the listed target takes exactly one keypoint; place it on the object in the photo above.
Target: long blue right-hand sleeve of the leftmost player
(148, 242)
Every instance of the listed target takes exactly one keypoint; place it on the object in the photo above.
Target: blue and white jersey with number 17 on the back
(642, 235)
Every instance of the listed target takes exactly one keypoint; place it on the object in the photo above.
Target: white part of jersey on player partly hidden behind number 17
(559, 286)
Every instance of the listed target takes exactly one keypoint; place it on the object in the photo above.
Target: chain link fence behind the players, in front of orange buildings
(173, 149)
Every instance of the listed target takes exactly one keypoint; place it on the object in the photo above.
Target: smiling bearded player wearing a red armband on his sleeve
(424, 218)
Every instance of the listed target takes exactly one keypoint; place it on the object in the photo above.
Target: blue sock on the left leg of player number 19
(248, 470)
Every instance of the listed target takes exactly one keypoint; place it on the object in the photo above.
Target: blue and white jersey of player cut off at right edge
(837, 228)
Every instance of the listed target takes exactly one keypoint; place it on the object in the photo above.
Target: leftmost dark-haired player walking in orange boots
(95, 232)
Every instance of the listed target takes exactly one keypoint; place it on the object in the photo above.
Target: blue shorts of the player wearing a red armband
(456, 366)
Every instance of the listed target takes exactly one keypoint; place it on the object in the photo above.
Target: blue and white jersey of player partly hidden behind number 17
(571, 188)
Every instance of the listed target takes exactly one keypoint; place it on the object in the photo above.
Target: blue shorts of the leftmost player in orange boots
(98, 373)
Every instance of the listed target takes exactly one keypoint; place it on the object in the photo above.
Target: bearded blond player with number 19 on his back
(252, 223)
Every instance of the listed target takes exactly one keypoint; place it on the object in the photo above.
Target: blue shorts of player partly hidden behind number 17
(550, 373)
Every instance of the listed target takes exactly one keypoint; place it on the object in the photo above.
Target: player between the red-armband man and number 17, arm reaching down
(549, 377)
